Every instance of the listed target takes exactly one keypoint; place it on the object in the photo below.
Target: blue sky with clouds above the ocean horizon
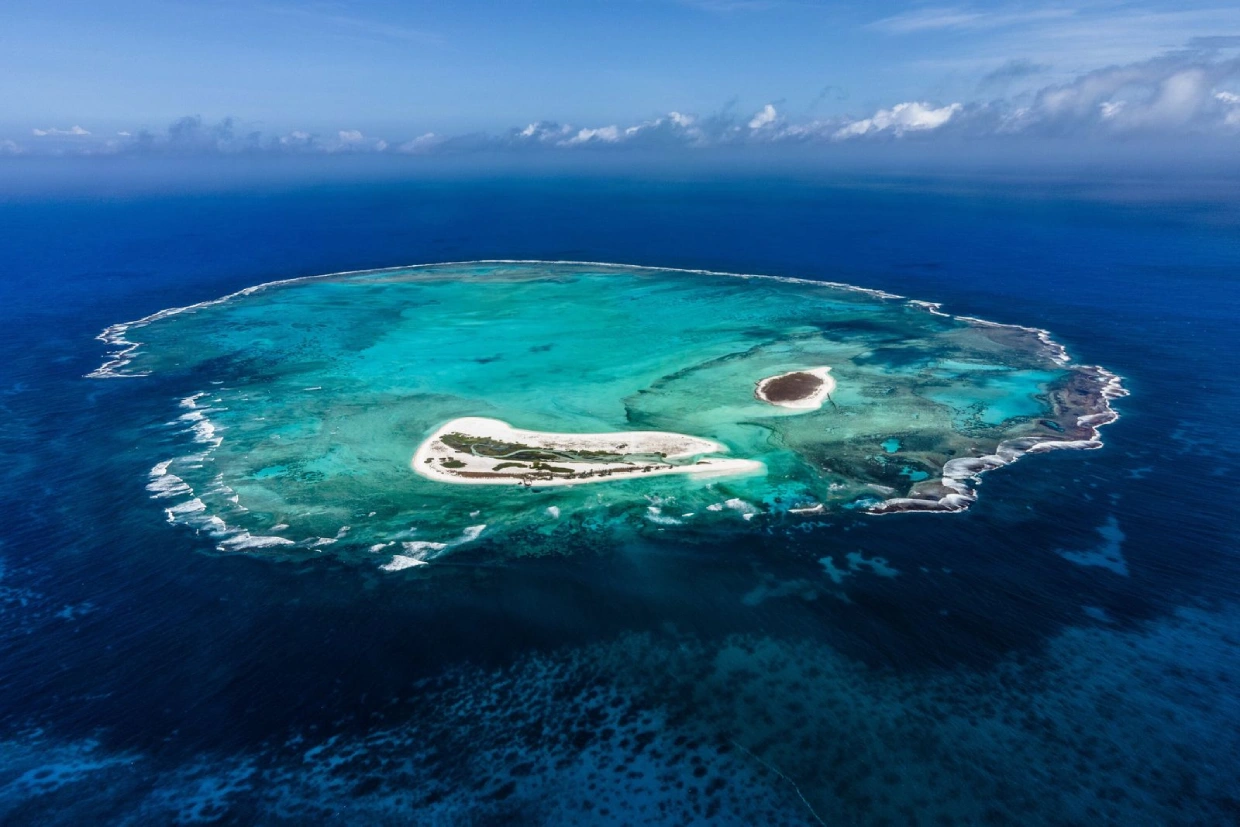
(384, 76)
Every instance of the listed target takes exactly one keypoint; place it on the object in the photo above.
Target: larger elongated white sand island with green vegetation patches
(477, 451)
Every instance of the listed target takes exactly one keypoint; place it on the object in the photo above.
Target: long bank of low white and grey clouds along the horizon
(1190, 95)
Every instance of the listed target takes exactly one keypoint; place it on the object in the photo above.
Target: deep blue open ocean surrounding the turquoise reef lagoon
(1067, 652)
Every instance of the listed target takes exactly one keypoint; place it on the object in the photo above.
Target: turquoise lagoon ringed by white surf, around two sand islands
(307, 400)
